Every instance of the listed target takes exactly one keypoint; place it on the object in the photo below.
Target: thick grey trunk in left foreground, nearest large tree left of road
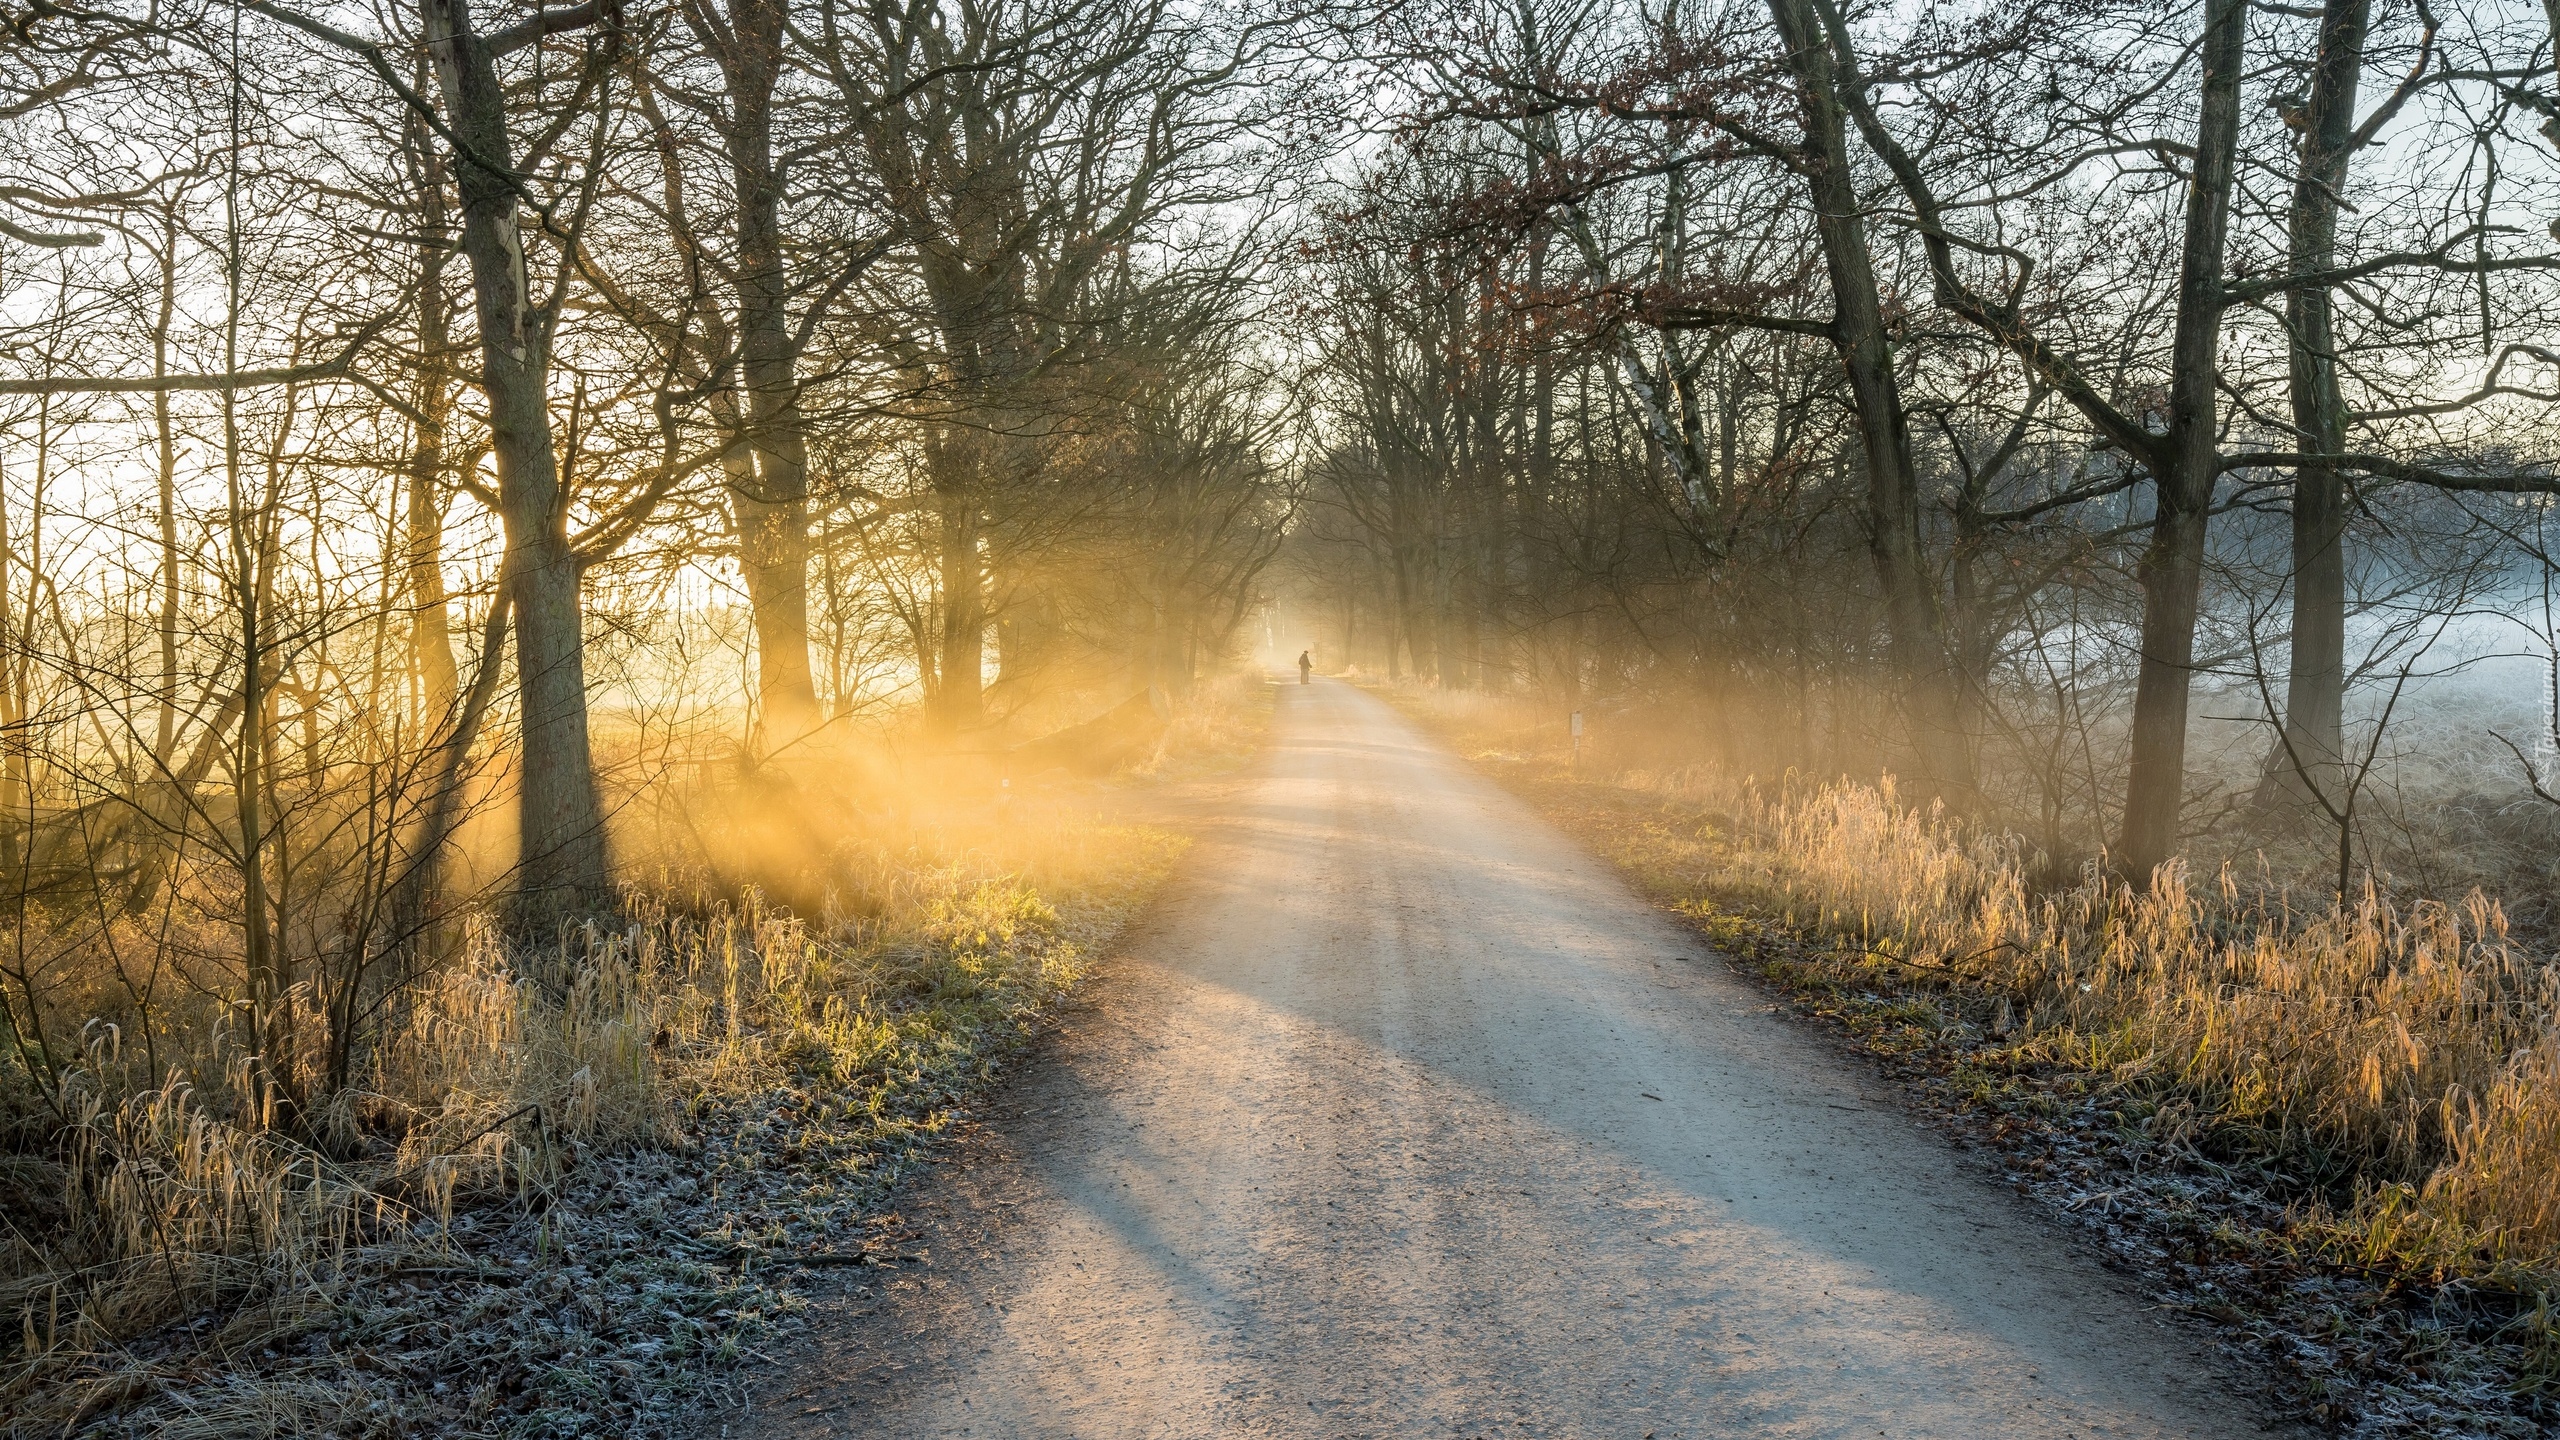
(559, 814)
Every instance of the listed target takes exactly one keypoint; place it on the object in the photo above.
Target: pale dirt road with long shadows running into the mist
(1407, 1118)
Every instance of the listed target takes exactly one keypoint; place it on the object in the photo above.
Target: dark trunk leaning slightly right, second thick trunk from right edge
(2172, 565)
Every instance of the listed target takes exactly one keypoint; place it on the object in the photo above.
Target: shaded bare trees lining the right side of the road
(1967, 393)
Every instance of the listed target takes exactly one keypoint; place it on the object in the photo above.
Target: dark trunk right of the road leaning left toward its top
(1916, 624)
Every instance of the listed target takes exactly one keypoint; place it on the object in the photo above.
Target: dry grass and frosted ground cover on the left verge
(593, 1180)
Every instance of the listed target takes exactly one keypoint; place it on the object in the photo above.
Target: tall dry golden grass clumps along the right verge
(2395, 1039)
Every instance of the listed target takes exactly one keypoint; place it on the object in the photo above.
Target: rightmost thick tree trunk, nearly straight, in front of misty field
(2318, 662)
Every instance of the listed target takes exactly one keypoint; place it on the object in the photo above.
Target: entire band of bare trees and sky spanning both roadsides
(444, 416)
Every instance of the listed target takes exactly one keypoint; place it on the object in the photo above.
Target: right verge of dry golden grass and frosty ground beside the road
(2326, 1129)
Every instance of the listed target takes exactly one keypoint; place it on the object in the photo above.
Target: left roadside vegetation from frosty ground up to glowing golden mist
(572, 1180)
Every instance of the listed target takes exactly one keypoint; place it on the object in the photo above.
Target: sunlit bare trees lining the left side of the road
(413, 409)
